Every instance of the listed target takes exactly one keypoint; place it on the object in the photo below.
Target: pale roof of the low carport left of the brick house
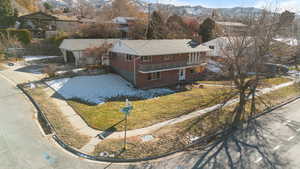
(83, 44)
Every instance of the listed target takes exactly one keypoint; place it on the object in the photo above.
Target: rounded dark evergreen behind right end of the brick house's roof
(207, 30)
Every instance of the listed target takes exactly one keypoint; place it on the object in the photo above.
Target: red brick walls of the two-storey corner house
(167, 78)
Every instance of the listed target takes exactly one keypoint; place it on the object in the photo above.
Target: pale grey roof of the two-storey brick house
(158, 47)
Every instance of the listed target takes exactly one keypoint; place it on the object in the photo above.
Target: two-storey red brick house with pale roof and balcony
(157, 63)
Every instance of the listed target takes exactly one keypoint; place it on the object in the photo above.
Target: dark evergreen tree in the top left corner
(7, 17)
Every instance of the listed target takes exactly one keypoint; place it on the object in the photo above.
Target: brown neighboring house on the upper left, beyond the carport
(39, 23)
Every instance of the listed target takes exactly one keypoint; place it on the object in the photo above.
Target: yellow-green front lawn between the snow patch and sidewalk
(148, 112)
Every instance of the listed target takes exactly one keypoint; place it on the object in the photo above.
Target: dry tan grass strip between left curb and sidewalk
(62, 126)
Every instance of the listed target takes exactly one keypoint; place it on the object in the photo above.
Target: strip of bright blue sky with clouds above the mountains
(292, 5)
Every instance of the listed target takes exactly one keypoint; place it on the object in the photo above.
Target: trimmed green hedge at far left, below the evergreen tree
(23, 35)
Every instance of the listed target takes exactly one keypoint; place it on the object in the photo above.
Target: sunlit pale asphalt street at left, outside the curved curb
(22, 145)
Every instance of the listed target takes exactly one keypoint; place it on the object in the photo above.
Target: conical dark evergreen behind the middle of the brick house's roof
(156, 27)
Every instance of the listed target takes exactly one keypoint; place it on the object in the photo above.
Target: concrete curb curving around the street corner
(49, 129)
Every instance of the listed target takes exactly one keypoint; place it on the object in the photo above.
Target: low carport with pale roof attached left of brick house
(73, 50)
